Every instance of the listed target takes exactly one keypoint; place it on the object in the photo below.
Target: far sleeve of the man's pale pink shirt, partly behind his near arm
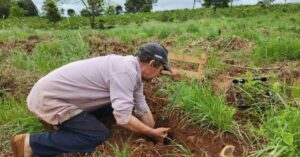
(141, 105)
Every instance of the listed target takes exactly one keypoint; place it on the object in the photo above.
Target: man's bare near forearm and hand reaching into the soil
(136, 125)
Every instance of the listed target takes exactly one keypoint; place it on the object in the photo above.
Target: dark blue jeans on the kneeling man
(81, 133)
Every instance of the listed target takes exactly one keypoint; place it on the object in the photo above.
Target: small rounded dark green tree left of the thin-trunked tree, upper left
(51, 10)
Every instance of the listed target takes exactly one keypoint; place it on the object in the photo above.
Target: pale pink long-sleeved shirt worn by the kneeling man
(88, 85)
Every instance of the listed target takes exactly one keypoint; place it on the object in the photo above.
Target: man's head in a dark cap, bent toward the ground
(153, 58)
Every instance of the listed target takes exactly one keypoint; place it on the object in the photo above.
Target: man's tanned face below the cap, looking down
(151, 71)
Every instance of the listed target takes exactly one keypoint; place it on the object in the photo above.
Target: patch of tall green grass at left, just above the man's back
(66, 46)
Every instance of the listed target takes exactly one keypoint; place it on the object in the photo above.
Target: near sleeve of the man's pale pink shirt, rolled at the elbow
(121, 96)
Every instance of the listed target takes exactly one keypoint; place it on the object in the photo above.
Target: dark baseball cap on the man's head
(157, 52)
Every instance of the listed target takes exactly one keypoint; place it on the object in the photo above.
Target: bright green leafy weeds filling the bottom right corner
(282, 133)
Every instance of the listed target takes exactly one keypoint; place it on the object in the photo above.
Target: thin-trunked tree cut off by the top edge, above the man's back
(94, 8)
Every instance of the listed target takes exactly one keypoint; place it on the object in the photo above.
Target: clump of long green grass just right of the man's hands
(202, 107)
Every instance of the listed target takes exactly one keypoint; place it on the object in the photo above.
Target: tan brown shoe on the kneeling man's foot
(17, 145)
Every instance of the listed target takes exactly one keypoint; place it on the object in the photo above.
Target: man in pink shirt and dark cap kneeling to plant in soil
(71, 98)
